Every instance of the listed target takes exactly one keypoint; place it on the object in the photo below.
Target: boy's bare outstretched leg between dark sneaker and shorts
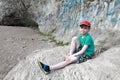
(70, 60)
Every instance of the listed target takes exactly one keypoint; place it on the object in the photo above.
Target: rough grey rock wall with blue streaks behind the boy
(61, 17)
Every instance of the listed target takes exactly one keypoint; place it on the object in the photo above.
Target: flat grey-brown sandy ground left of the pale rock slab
(16, 43)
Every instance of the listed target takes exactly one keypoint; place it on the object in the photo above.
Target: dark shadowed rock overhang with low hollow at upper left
(14, 13)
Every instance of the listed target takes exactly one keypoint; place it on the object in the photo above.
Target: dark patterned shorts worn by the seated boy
(83, 57)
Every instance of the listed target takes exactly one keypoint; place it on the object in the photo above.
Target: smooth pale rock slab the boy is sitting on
(104, 67)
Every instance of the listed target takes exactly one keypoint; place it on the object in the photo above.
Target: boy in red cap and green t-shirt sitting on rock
(81, 49)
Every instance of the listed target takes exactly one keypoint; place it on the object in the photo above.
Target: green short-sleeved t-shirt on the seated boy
(87, 40)
